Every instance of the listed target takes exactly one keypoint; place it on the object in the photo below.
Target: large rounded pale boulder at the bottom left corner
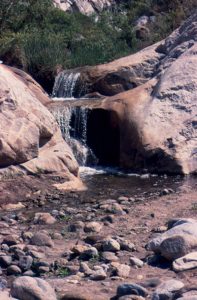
(25, 288)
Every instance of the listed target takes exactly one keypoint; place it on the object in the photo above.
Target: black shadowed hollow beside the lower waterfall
(103, 136)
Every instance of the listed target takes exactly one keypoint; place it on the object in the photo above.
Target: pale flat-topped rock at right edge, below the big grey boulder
(185, 263)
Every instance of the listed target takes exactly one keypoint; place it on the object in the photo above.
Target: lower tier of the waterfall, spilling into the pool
(73, 125)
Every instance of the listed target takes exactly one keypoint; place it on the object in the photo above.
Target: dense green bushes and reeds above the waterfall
(39, 38)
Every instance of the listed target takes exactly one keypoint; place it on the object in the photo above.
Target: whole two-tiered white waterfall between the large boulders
(72, 119)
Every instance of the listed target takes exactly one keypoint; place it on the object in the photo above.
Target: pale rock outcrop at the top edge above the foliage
(86, 7)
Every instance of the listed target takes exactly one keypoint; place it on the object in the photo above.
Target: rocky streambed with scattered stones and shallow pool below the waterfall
(112, 241)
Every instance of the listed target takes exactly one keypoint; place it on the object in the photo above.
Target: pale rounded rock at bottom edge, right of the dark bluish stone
(166, 289)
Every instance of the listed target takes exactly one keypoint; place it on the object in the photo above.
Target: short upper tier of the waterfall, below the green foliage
(66, 84)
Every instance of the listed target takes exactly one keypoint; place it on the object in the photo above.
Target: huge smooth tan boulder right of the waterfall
(154, 102)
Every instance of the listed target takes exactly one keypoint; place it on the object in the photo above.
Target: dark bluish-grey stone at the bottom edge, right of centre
(131, 289)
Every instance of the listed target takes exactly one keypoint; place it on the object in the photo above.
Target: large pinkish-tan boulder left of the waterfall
(30, 138)
